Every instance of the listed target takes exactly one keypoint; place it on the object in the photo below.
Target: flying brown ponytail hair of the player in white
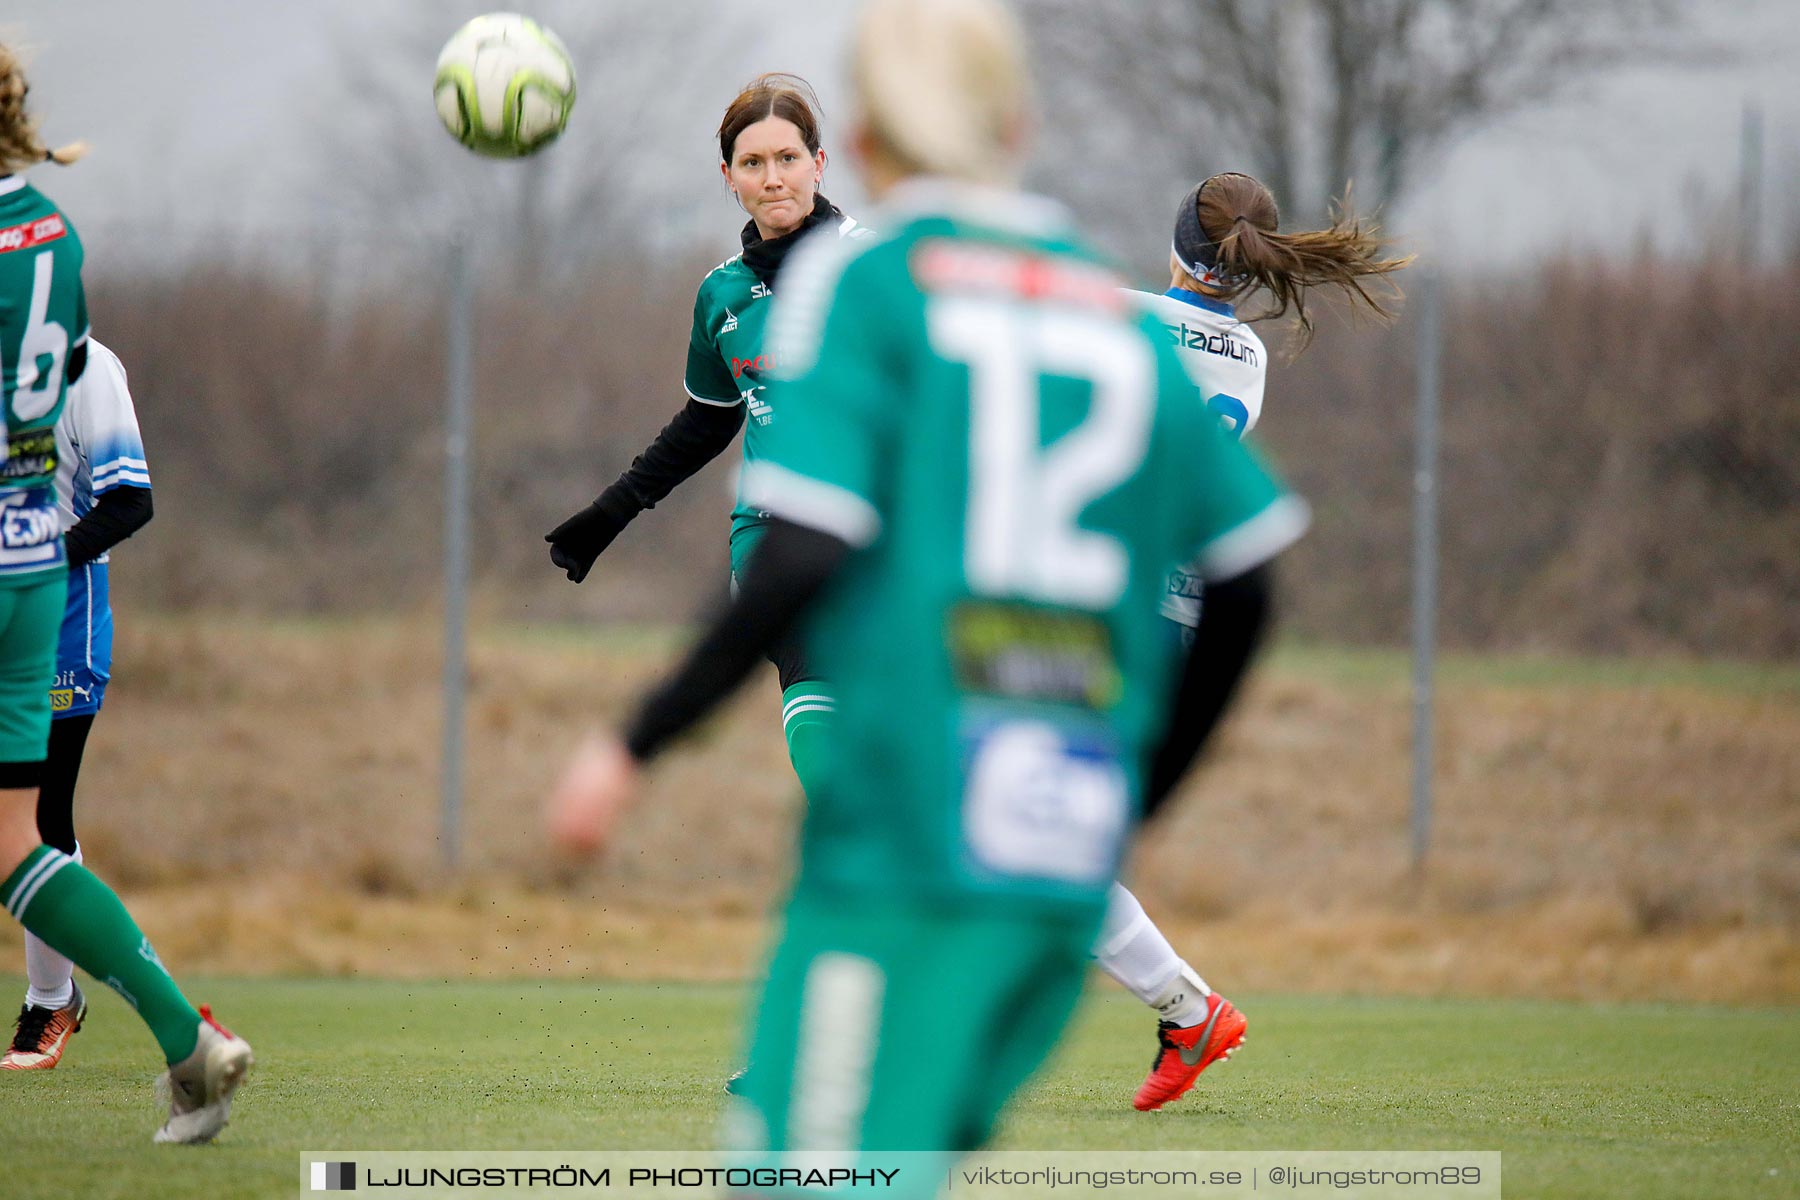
(1243, 222)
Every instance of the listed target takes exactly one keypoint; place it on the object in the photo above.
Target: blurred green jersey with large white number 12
(1021, 460)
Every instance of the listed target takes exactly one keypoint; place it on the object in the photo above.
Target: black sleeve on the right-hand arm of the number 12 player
(1234, 622)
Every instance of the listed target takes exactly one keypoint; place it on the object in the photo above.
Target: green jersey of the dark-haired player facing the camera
(726, 359)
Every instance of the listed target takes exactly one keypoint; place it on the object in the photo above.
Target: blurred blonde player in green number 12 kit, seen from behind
(985, 467)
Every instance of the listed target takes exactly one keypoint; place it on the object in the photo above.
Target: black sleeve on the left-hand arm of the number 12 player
(786, 575)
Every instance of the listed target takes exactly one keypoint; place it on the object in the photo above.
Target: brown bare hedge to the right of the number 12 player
(1621, 465)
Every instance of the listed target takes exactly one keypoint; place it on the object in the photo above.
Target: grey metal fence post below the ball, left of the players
(460, 375)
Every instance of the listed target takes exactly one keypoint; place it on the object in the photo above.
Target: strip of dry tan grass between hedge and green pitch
(267, 798)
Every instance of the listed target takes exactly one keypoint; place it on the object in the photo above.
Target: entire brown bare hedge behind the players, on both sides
(1621, 452)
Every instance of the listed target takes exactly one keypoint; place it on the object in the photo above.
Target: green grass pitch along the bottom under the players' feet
(1585, 1102)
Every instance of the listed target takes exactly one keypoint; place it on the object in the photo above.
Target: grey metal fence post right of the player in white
(1425, 555)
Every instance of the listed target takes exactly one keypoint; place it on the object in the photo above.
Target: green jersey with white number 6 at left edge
(44, 316)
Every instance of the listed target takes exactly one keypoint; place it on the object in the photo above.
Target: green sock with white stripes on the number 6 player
(64, 904)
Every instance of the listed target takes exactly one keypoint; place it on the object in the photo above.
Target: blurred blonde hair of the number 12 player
(944, 85)
